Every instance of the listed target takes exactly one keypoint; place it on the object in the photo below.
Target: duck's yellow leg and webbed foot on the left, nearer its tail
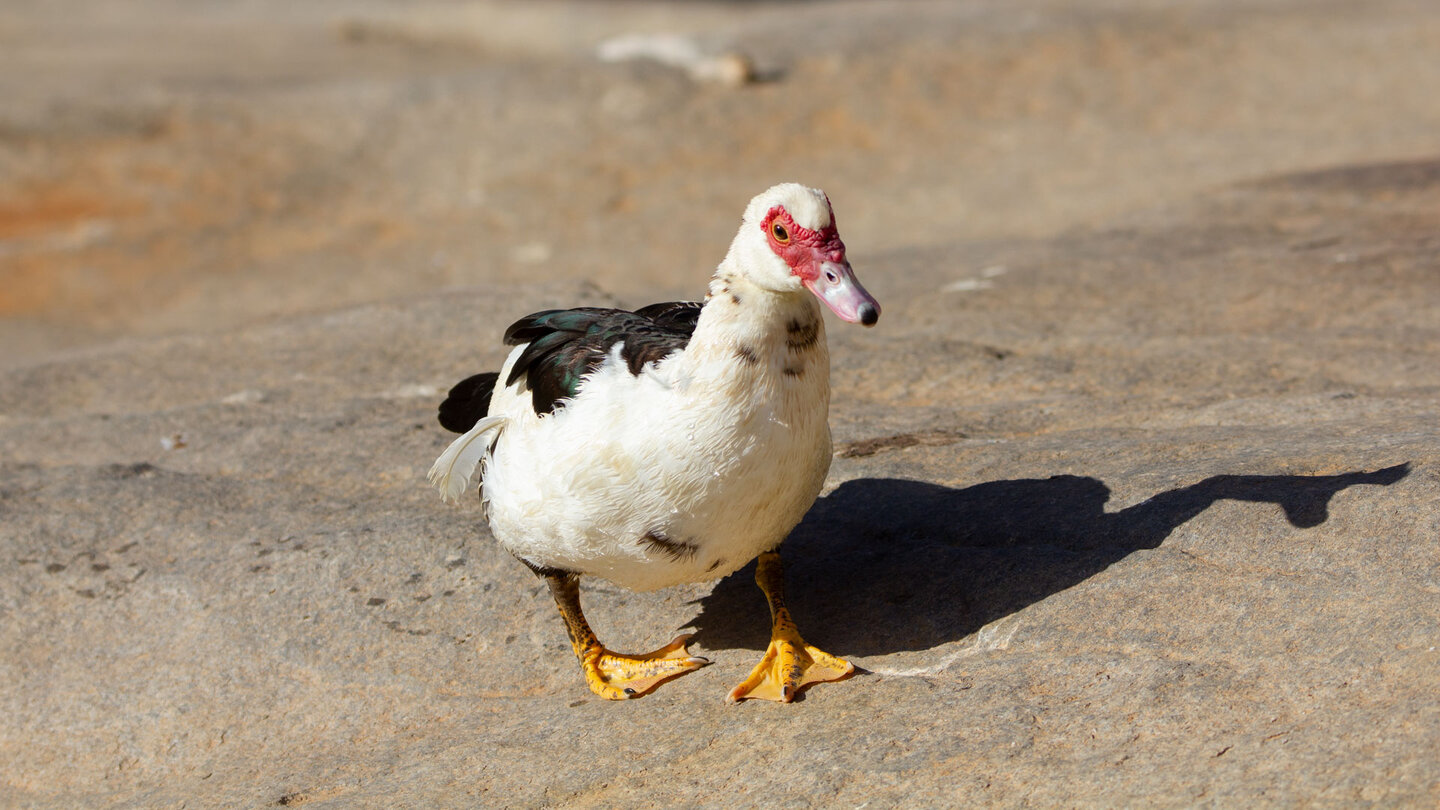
(611, 675)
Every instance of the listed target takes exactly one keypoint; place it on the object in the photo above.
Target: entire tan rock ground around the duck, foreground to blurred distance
(1135, 486)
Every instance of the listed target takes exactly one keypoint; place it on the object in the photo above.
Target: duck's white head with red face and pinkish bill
(788, 241)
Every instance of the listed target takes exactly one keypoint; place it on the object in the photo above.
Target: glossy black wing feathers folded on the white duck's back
(564, 347)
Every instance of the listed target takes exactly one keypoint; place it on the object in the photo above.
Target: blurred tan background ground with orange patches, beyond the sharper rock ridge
(178, 166)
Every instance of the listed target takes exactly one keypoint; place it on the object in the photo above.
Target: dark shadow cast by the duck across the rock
(885, 566)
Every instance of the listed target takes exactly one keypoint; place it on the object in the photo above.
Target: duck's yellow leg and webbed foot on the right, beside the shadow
(790, 664)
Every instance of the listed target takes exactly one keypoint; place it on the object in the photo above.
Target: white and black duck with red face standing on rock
(669, 445)
